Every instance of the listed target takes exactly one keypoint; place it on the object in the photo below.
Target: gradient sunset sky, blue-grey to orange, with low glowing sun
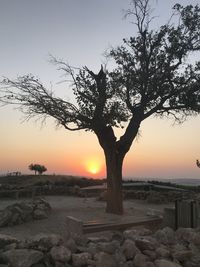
(80, 31)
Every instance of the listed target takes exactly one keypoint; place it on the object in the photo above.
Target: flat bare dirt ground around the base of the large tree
(85, 209)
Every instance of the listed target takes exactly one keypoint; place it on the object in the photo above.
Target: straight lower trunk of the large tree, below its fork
(114, 195)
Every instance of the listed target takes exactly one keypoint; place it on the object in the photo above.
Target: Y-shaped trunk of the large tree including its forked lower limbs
(115, 152)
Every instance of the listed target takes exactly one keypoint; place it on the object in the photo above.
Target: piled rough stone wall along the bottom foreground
(132, 248)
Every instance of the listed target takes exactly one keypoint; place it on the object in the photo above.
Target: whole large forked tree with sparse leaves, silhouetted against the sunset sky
(152, 78)
